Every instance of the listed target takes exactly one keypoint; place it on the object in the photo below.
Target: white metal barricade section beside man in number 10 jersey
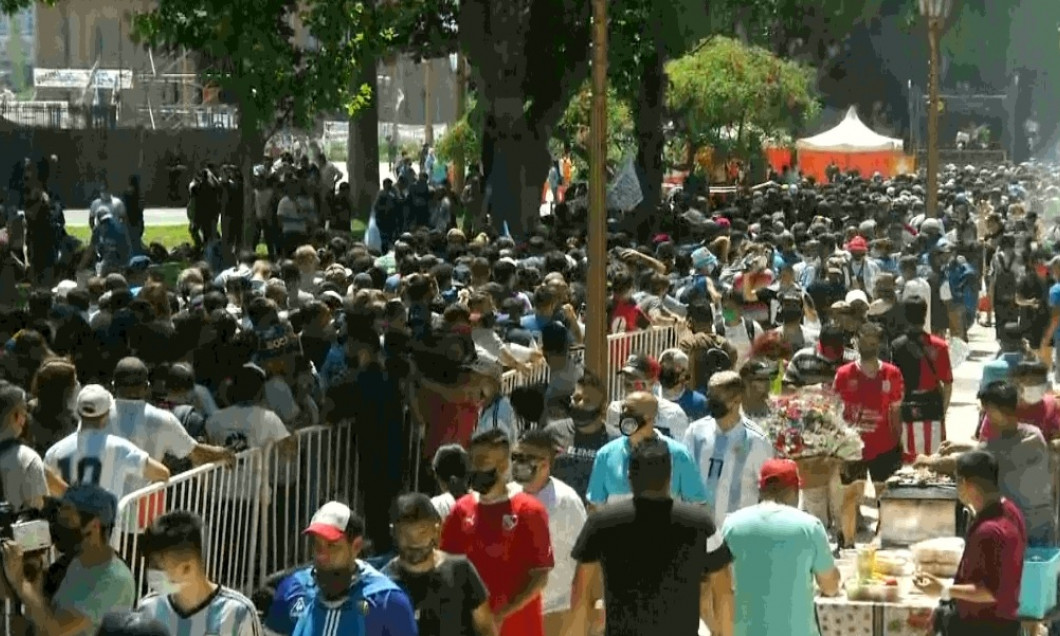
(228, 500)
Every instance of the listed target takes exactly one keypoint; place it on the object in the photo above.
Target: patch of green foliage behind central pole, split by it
(574, 128)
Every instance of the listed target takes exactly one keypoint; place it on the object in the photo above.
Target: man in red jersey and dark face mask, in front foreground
(504, 533)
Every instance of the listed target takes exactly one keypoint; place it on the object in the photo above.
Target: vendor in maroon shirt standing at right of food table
(986, 590)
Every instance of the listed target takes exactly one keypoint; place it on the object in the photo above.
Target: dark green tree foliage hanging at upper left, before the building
(250, 49)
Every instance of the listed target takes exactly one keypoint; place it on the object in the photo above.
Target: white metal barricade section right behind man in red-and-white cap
(322, 467)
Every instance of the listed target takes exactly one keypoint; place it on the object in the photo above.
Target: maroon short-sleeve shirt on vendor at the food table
(994, 560)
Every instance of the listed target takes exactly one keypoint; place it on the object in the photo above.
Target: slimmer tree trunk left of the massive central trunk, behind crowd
(363, 148)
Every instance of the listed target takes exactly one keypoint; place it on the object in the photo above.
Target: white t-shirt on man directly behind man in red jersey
(567, 516)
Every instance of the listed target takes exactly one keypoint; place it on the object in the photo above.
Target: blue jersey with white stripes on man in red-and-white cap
(376, 607)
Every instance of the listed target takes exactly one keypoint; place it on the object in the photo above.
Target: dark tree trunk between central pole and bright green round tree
(648, 127)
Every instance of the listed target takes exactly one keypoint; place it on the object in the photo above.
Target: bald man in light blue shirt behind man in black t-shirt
(609, 482)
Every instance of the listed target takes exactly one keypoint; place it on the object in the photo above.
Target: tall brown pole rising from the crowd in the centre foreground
(596, 338)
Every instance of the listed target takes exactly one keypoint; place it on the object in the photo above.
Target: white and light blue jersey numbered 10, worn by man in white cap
(99, 458)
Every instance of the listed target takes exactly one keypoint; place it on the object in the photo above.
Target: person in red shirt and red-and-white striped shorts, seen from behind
(925, 363)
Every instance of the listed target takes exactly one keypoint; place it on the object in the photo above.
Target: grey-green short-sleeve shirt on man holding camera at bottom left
(94, 592)
